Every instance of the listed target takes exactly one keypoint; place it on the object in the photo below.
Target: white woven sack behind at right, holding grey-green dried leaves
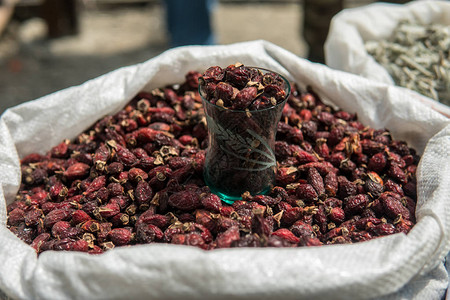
(351, 28)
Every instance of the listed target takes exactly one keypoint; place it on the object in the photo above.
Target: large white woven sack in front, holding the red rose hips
(382, 267)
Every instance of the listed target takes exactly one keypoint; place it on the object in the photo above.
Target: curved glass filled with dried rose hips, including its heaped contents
(242, 106)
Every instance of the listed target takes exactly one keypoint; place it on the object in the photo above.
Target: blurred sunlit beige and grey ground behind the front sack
(32, 66)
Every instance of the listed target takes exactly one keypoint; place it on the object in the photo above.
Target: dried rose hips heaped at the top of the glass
(238, 87)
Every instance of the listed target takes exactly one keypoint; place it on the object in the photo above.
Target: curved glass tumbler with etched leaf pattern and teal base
(240, 155)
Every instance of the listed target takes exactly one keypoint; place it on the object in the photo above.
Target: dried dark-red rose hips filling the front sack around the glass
(136, 178)
